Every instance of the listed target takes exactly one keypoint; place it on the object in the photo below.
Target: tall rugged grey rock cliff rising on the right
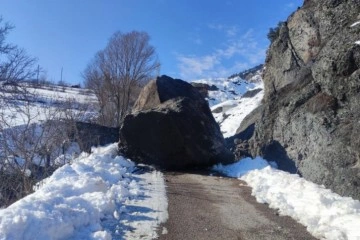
(309, 121)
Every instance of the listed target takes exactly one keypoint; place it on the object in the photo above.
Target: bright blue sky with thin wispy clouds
(193, 38)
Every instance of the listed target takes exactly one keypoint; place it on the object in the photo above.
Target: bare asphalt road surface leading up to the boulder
(213, 207)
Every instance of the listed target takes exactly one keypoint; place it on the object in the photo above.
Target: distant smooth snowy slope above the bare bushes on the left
(43, 103)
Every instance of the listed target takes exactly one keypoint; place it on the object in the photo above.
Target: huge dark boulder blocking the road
(172, 127)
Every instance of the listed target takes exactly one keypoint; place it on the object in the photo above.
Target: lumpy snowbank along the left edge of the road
(95, 197)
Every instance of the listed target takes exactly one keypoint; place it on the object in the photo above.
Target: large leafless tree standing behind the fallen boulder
(117, 72)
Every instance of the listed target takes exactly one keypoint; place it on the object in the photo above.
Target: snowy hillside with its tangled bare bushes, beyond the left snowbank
(36, 129)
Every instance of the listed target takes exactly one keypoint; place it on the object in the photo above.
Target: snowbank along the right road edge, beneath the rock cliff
(326, 215)
